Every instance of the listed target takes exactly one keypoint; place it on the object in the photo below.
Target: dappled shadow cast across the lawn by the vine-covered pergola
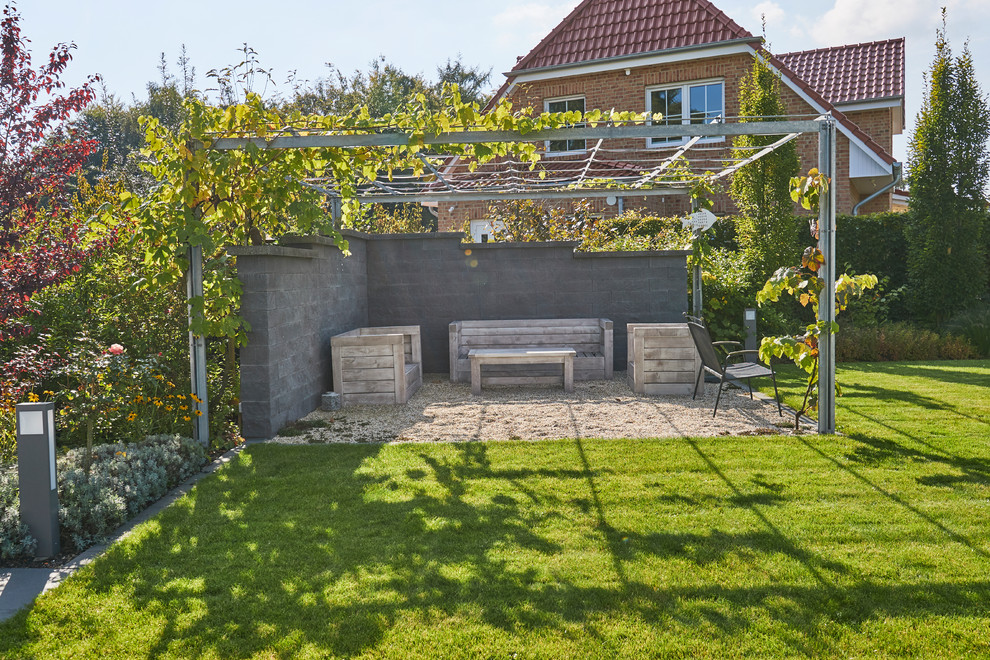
(352, 553)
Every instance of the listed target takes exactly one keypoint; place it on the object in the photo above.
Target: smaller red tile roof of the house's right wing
(858, 72)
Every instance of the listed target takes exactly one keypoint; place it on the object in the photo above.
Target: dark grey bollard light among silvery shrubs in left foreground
(37, 480)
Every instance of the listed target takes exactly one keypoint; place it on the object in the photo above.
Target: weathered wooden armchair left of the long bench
(377, 365)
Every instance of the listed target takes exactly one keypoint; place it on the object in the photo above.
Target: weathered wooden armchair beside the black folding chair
(662, 358)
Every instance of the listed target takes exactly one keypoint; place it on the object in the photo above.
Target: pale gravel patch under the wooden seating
(442, 411)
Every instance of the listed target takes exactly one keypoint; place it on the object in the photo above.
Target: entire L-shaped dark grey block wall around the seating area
(297, 299)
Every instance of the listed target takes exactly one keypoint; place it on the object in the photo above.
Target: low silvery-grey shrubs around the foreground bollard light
(123, 479)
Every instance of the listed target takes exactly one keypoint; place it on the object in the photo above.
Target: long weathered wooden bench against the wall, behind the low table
(590, 339)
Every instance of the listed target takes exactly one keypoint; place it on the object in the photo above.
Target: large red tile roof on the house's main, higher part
(603, 29)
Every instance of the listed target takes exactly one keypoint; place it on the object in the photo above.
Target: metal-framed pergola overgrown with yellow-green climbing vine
(281, 166)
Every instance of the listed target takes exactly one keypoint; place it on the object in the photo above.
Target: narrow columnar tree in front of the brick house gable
(767, 232)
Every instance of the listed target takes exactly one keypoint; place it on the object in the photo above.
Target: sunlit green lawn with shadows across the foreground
(877, 543)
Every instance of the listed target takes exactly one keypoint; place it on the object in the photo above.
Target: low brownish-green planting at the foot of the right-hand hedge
(898, 341)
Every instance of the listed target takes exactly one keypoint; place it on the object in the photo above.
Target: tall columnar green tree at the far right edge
(949, 166)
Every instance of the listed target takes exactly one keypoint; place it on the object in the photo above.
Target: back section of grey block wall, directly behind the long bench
(441, 280)
